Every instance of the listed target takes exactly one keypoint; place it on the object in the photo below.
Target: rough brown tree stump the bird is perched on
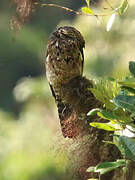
(88, 141)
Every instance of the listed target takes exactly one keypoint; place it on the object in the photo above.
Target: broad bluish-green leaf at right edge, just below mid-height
(126, 102)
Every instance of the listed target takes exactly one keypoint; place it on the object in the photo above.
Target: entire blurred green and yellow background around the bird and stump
(29, 127)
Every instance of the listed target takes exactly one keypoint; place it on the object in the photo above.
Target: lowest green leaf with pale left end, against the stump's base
(109, 166)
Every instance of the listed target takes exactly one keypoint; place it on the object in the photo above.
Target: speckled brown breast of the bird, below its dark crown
(63, 62)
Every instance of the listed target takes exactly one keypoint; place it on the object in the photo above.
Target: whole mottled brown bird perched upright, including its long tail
(64, 62)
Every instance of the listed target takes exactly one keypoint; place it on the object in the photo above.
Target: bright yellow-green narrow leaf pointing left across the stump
(104, 126)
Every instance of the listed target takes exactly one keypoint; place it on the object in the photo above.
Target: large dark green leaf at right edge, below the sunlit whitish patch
(127, 147)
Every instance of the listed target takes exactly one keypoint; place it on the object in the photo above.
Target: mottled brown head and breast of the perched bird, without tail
(64, 59)
